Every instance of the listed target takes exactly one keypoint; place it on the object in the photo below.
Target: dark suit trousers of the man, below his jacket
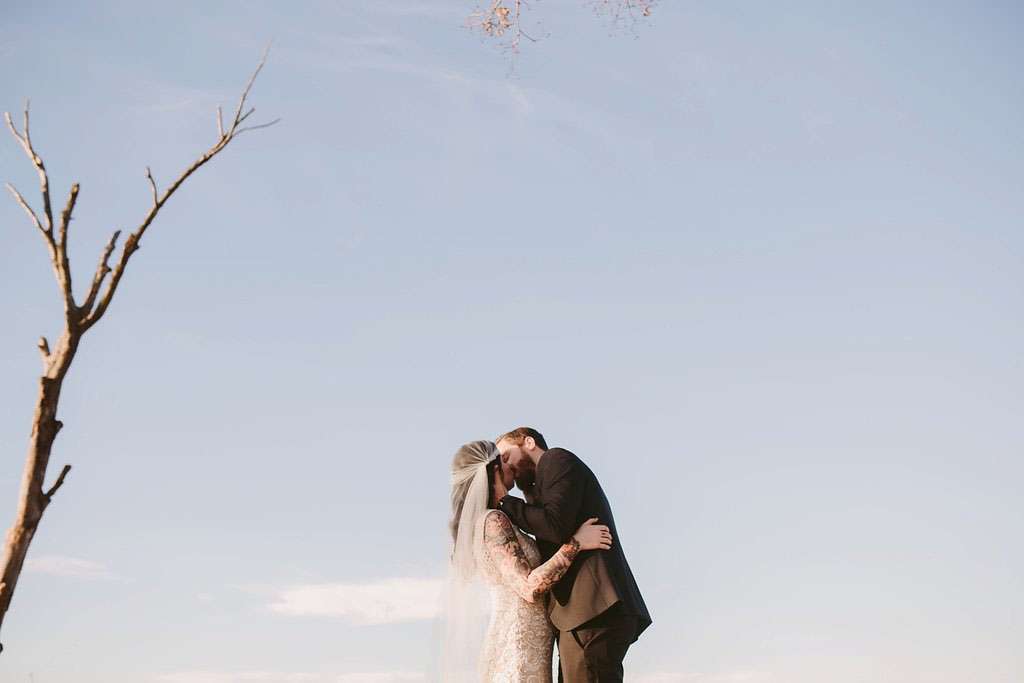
(594, 652)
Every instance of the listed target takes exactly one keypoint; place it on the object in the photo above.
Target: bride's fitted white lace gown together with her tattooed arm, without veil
(521, 639)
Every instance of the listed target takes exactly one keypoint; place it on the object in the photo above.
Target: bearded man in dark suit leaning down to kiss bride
(596, 607)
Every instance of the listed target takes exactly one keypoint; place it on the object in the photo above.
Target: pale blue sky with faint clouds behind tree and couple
(760, 266)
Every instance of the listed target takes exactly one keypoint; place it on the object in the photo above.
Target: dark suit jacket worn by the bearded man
(569, 495)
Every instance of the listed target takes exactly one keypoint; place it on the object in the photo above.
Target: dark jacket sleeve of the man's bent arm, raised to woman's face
(554, 519)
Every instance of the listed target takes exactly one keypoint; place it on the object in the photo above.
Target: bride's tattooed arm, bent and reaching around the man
(501, 542)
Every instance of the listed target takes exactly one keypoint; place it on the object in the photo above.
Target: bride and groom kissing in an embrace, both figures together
(528, 572)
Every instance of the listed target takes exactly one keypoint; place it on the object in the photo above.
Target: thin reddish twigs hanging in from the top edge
(503, 20)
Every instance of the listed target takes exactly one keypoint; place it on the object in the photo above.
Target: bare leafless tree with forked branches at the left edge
(79, 319)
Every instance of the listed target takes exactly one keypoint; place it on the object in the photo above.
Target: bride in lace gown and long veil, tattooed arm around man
(493, 557)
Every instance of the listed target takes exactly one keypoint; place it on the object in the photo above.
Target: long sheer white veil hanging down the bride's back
(467, 602)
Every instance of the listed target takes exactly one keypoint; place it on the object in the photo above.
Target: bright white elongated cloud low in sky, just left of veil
(387, 602)
